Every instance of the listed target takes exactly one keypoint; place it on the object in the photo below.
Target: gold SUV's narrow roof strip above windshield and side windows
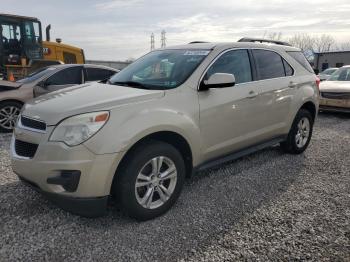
(209, 45)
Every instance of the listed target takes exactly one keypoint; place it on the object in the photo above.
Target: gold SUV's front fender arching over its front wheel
(133, 126)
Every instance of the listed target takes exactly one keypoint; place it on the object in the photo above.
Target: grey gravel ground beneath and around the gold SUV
(267, 206)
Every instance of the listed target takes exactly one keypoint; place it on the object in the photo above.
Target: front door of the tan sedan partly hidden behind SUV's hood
(64, 78)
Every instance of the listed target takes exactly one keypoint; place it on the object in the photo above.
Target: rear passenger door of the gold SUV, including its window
(277, 88)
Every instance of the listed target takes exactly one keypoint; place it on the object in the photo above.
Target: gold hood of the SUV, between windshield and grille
(58, 105)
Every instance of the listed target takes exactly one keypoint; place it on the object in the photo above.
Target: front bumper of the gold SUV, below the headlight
(52, 159)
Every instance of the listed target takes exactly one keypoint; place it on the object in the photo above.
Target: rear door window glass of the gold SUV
(269, 64)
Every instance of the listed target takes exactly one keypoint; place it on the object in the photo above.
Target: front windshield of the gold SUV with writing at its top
(162, 69)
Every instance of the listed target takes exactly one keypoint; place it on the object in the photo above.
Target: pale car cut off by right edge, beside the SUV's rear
(335, 92)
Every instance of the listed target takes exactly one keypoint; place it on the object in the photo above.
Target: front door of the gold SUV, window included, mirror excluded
(230, 118)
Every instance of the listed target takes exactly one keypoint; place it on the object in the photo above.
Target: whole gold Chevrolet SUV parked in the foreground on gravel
(170, 113)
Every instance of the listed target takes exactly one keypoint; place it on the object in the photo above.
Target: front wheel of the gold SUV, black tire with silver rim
(133, 188)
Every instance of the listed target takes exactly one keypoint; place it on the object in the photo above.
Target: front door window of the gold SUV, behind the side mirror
(234, 62)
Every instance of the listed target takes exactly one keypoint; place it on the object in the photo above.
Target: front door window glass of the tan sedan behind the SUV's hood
(68, 76)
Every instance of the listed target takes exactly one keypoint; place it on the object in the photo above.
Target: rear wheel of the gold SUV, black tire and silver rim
(298, 139)
